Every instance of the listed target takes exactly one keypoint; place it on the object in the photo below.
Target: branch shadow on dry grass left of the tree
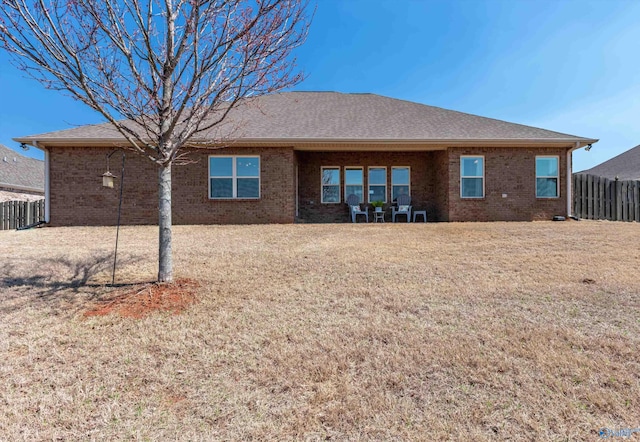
(60, 285)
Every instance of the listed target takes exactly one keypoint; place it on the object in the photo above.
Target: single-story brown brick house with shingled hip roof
(296, 156)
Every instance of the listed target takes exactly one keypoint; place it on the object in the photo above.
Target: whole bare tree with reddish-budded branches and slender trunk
(160, 71)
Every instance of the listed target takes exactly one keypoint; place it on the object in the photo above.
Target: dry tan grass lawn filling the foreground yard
(489, 331)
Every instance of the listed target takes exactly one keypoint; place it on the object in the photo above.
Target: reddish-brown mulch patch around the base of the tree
(144, 299)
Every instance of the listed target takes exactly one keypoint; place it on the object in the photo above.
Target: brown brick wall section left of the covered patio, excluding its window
(78, 198)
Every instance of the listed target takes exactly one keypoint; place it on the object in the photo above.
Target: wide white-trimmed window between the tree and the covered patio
(234, 177)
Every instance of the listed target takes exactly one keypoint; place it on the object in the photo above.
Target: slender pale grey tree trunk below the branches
(165, 261)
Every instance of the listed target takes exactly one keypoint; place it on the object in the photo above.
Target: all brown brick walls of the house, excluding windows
(78, 198)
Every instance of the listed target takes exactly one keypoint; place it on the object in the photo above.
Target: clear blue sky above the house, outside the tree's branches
(565, 65)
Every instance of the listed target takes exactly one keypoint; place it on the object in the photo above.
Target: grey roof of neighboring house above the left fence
(20, 172)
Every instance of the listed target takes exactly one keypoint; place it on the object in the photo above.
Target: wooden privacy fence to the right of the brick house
(596, 197)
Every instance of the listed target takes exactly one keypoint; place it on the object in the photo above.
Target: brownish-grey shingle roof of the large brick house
(338, 117)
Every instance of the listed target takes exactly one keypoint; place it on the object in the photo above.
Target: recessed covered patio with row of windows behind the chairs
(326, 178)
